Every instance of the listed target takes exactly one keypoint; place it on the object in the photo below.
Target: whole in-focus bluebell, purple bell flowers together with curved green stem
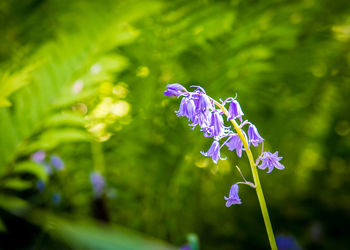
(207, 113)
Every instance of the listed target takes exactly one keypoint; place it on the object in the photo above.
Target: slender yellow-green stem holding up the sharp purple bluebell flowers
(258, 188)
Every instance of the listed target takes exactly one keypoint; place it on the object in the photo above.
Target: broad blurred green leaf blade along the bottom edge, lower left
(88, 234)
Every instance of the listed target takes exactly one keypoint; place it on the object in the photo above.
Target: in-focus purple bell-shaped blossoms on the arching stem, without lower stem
(202, 110)
